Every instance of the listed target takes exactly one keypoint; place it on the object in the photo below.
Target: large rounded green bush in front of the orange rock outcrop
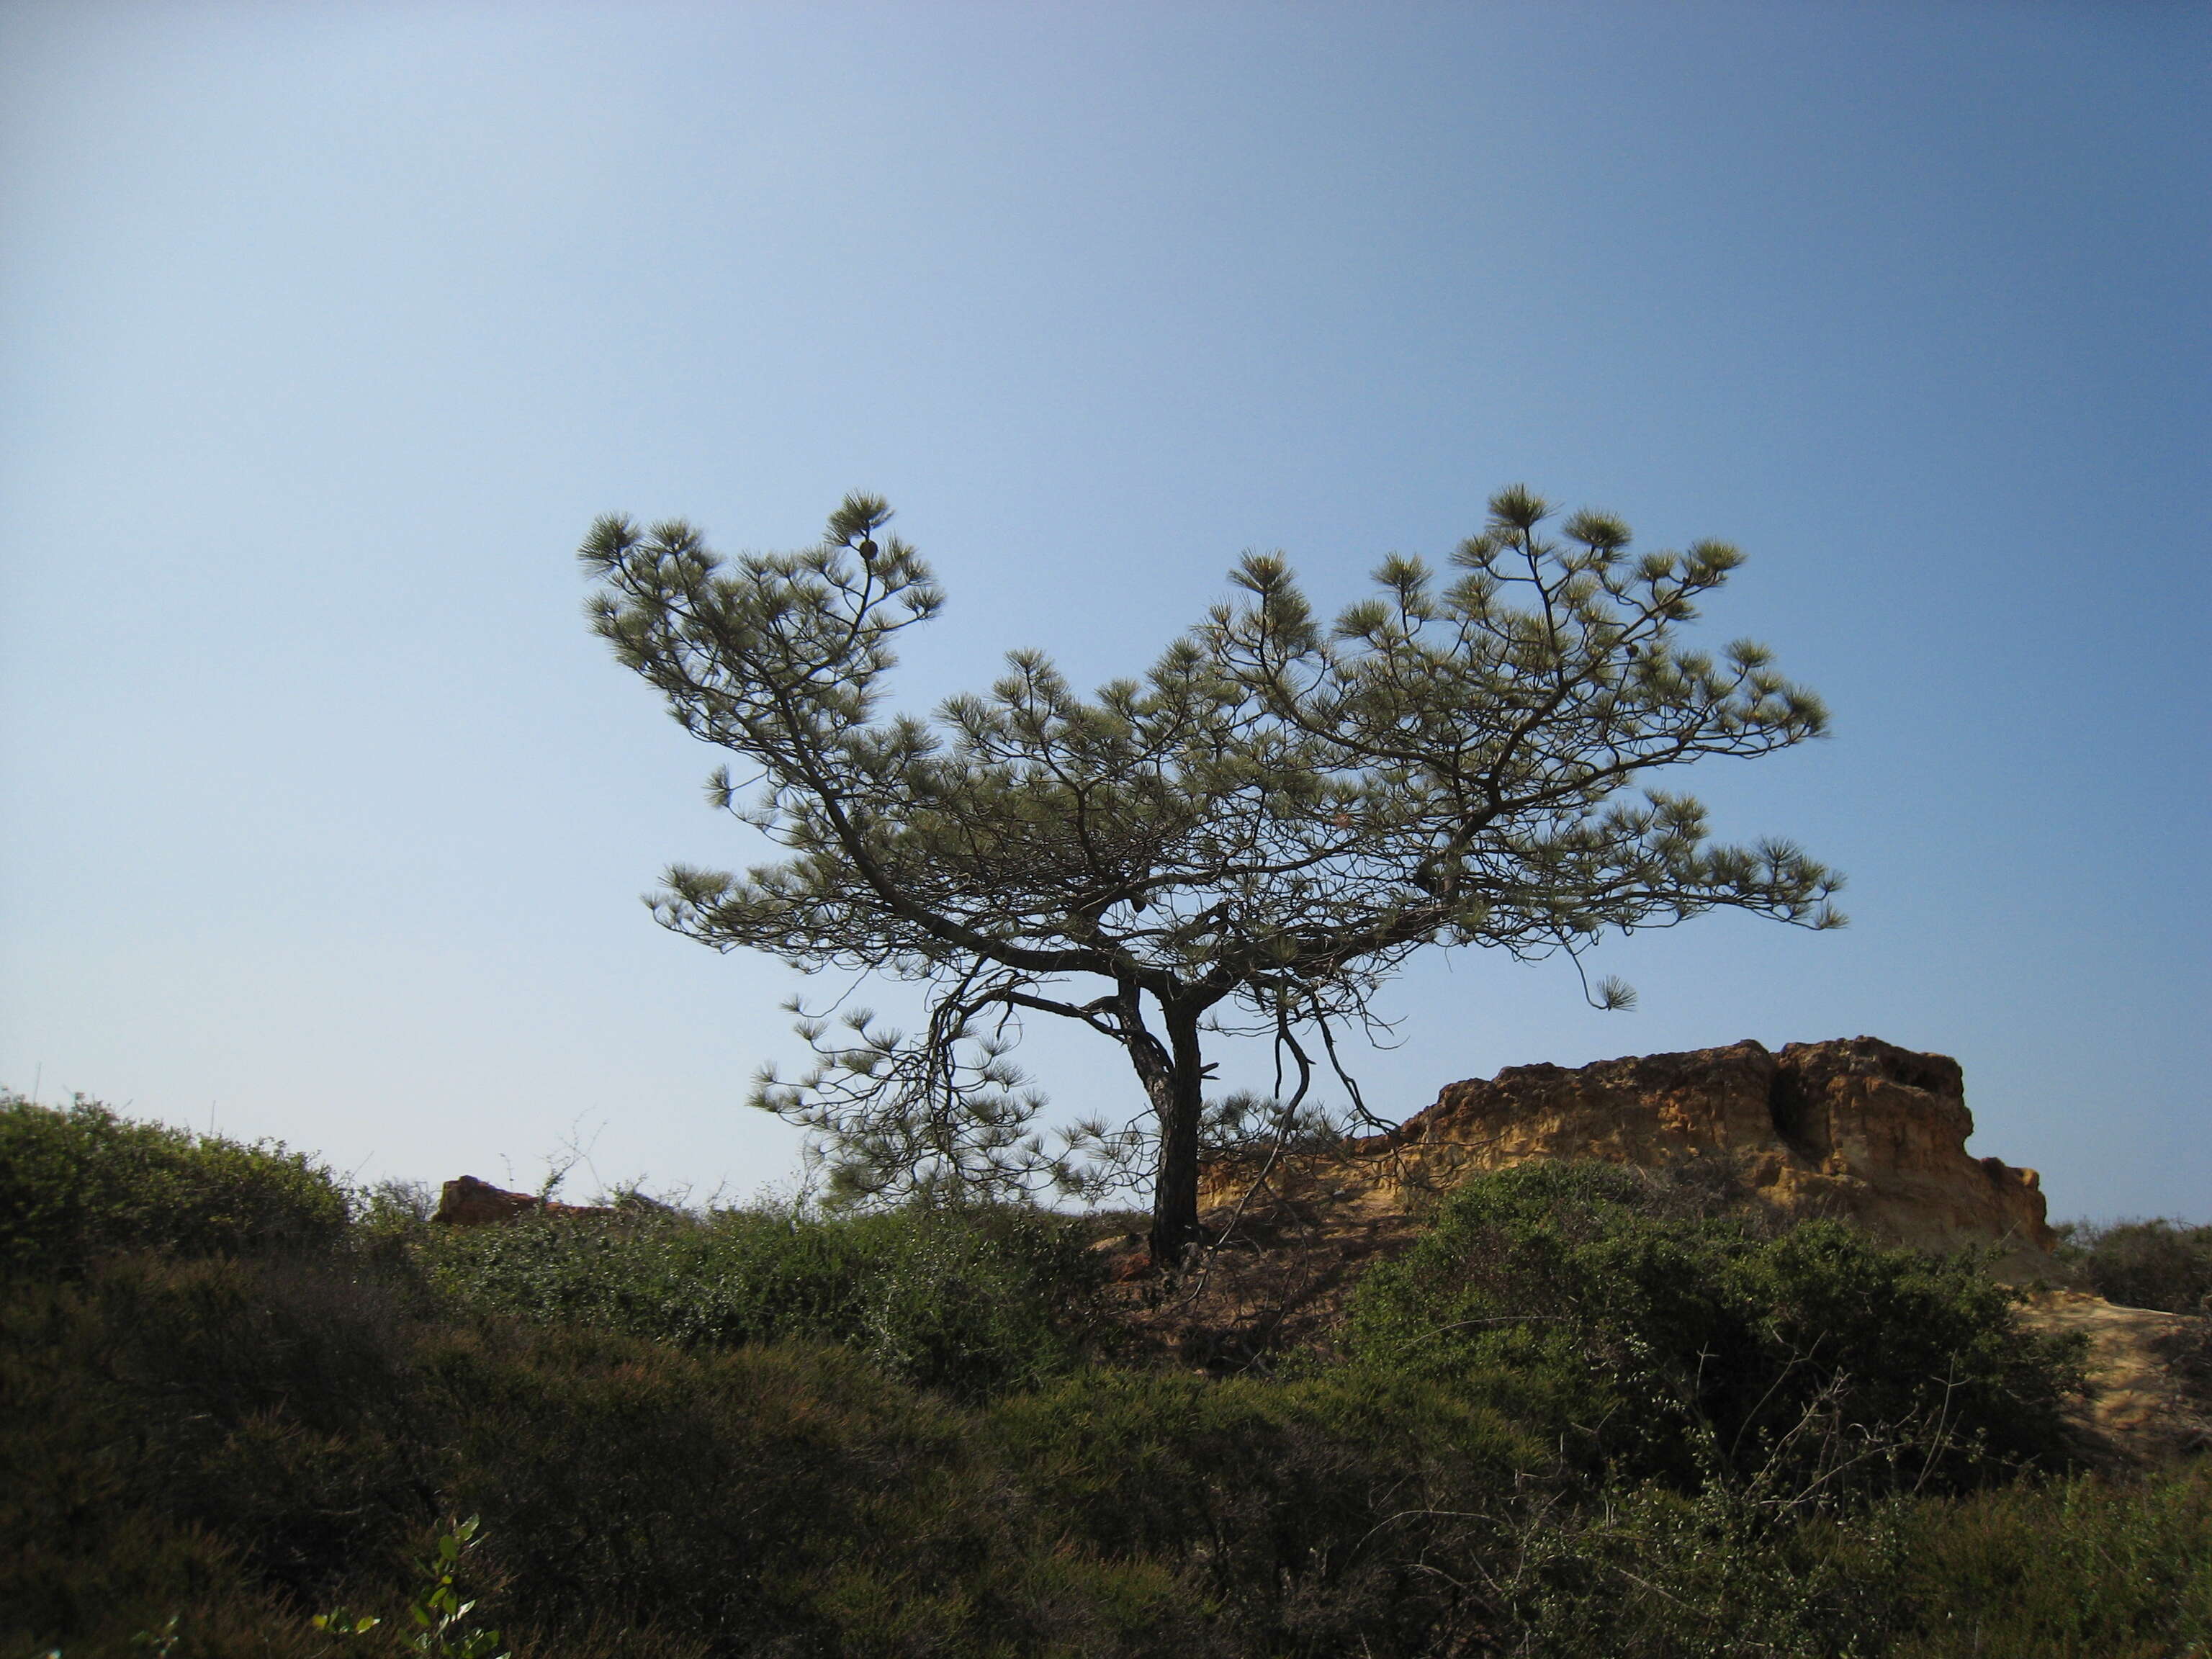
(1693, 1348)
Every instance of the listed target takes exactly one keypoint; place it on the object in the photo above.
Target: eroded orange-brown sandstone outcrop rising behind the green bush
(1855, 1129)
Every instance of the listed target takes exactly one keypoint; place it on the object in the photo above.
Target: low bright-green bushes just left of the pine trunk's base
(972, 1300)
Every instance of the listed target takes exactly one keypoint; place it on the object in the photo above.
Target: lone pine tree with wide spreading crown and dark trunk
(1251, 837)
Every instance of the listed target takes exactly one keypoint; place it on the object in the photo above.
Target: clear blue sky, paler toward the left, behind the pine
(326, 331)
